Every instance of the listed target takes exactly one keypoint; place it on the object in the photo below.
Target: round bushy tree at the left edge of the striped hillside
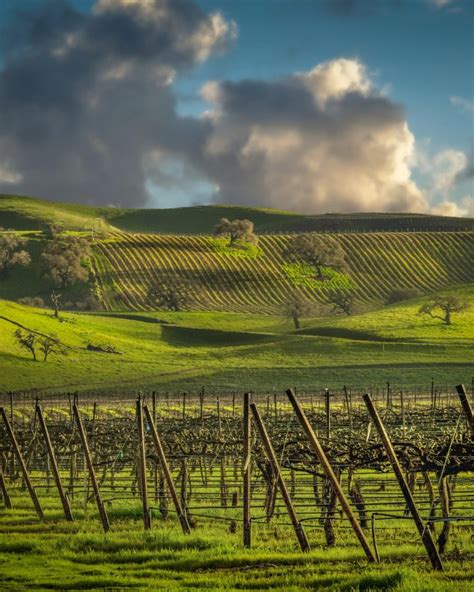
(65, 260)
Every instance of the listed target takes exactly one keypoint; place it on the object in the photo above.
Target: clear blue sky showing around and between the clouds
(417, 53)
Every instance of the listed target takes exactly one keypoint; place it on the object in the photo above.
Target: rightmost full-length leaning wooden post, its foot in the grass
(423, 530)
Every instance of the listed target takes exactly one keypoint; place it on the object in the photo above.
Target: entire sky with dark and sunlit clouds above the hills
(307, 105)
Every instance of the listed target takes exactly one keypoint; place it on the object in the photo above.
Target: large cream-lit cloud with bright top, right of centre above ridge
(317, 141)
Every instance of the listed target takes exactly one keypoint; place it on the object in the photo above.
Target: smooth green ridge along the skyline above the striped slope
(26, 213)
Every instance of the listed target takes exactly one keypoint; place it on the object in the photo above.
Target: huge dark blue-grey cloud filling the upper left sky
(86, 98)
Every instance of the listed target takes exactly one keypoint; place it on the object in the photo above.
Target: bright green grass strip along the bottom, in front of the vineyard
(55, 555)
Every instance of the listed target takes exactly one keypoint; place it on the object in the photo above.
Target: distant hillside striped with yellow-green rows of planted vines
(258, 281)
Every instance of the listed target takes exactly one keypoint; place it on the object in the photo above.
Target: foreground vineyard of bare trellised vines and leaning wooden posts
(251, 469)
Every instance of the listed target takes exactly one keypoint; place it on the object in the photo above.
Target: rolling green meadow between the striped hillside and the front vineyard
(238, 352)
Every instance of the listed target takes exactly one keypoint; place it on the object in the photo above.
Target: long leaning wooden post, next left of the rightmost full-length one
(317, 448)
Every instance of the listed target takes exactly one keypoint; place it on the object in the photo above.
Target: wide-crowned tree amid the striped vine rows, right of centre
(318, 251)
